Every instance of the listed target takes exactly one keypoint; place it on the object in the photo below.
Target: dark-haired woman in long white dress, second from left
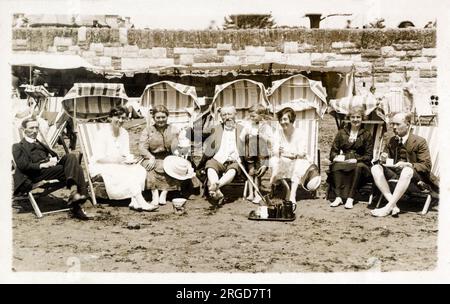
(123, 177)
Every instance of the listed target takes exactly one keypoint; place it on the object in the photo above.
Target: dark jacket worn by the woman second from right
(361, 149)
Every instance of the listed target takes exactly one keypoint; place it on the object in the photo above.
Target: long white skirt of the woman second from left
(122, 181)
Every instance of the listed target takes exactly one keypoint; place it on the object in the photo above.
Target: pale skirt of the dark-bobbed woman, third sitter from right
(283, 167)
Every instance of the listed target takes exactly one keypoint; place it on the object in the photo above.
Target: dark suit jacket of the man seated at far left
(27, 164)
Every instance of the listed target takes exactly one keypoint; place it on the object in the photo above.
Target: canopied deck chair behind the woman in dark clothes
(375, 122)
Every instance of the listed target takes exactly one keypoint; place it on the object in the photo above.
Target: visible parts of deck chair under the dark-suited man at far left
(40, 189)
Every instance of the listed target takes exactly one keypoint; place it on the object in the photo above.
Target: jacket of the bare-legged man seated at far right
(417, 153)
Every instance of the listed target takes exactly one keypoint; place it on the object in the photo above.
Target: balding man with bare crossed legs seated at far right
(411, 163)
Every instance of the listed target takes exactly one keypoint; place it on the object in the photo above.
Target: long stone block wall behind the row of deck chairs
(384, 57)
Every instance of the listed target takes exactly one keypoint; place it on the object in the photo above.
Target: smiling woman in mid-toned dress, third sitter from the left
(157, 141)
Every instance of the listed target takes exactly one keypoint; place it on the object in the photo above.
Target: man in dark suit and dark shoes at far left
(35, 162)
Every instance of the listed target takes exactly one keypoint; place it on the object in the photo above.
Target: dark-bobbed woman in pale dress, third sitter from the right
(289, 157)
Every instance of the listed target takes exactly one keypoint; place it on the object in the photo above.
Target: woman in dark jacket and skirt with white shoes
(350, 156)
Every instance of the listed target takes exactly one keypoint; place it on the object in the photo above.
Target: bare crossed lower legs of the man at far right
(400, 189)
